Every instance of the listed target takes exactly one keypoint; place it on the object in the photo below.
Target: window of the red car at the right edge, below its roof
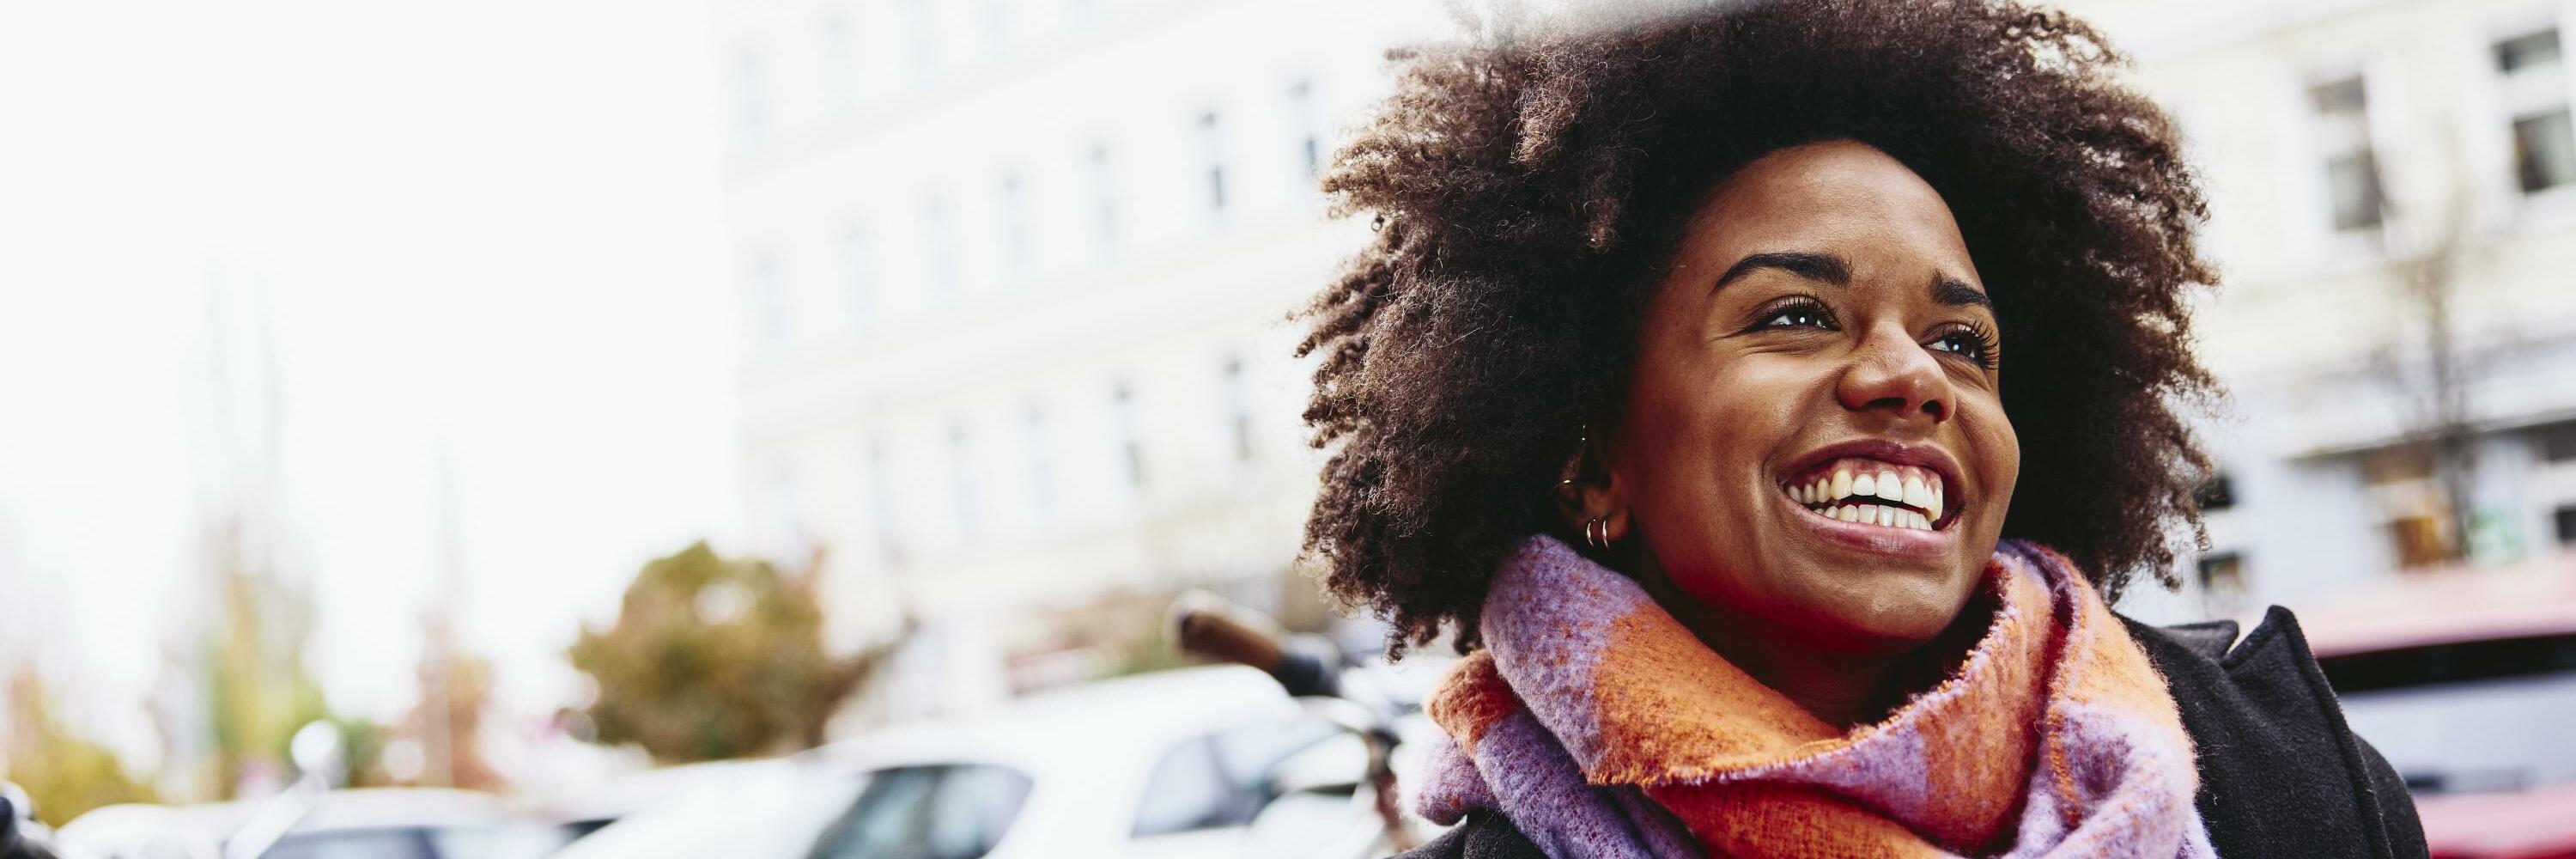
(2467, 716)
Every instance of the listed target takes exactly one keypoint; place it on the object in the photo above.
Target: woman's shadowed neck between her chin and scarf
(1841, 682)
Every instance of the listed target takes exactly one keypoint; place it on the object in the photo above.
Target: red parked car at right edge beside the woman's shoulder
(2467, 682)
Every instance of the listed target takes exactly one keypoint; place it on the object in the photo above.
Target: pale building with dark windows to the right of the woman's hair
(2394, 208)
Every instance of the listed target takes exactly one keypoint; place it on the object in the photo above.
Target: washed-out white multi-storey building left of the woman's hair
(1016, 293)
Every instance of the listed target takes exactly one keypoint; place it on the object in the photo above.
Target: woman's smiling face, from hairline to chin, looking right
(1815, 440)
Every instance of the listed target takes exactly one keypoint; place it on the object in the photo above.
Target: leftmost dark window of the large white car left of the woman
(926, 814)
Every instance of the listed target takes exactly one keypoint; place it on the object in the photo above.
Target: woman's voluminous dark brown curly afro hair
(1531, 179)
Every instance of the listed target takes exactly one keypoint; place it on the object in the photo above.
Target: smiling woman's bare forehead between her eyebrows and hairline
(1835, 195)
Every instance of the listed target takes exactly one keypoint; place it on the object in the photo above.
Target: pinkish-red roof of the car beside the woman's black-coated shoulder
(2448, 607)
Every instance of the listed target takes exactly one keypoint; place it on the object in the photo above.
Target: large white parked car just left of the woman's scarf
(1199, 762)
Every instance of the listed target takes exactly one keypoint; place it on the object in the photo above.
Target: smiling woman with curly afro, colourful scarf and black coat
(1676, 388)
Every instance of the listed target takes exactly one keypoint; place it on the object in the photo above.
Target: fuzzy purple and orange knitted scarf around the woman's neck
(1604, 729)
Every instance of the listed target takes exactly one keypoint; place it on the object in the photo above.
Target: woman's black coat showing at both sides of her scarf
(2278, 770)
